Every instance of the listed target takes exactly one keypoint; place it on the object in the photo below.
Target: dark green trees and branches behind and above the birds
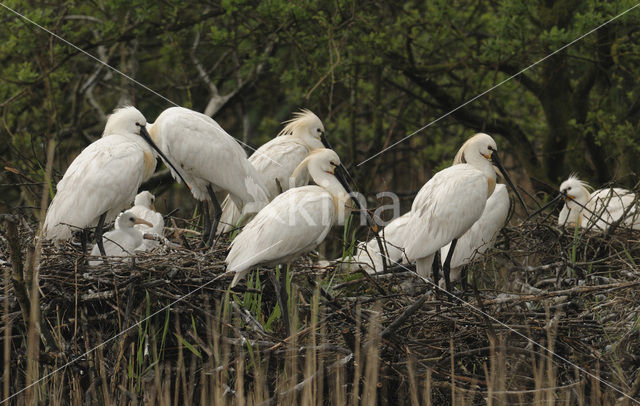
(374, 72)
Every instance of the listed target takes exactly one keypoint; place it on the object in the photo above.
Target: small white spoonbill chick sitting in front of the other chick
(124, 239)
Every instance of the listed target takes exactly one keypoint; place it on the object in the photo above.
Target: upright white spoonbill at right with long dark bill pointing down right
(451, 202)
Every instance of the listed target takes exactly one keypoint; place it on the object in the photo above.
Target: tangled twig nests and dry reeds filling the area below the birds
(551, 317)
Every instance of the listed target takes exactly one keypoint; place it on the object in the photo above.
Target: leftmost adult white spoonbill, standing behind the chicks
(104, 178)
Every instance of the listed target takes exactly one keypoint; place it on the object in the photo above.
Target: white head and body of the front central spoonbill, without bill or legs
(294, 222)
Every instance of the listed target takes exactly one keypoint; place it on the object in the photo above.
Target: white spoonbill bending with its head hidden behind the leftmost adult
(210, 160)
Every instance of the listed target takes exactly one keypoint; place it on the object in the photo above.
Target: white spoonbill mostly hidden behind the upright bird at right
(481, 236)
